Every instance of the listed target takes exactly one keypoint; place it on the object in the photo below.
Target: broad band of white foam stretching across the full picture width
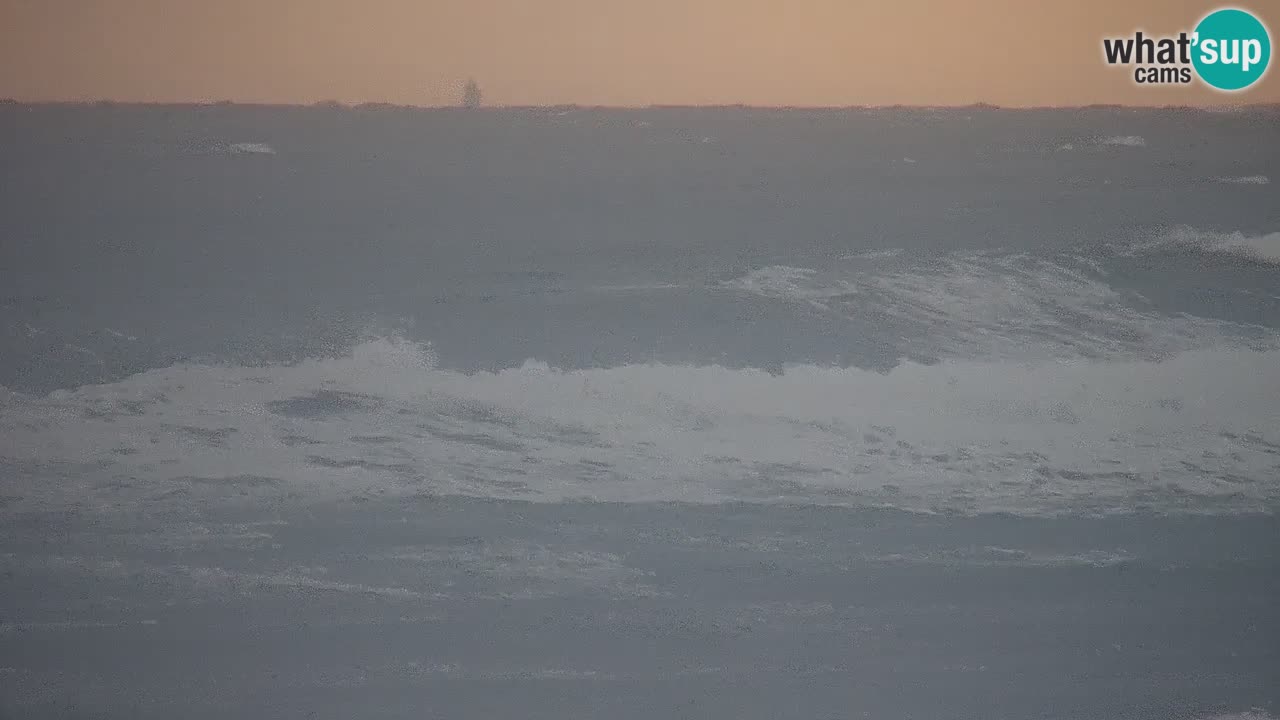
(959, 436)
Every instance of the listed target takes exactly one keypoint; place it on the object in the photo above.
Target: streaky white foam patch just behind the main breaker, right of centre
(993, 306)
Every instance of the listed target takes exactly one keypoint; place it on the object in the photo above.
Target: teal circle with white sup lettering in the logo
(1231, 49)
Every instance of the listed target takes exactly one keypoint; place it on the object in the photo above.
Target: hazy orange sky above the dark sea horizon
(596, 52)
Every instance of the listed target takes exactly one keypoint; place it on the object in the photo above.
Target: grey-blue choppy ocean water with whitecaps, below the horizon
(669, 413)
